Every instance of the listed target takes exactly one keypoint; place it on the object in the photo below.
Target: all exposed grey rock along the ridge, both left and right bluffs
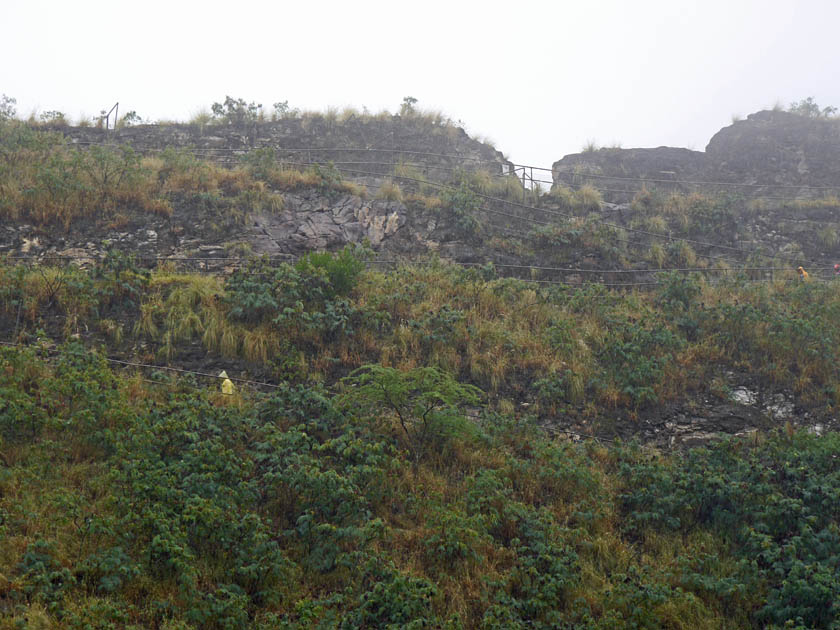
(780, 151)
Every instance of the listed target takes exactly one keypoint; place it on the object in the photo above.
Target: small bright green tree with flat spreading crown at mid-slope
(425, 402)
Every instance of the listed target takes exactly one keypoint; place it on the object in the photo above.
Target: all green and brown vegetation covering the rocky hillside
(393, 469)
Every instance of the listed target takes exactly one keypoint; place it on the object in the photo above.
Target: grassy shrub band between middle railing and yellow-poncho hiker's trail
(551, 347)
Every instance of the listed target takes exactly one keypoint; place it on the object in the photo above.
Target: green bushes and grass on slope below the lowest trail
(133, 504)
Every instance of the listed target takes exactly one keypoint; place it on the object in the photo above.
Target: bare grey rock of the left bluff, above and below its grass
(363, 149)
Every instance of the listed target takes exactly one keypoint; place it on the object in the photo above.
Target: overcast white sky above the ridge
(538, 78)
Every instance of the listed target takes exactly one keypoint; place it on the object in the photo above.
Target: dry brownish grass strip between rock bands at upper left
(47, 181)
